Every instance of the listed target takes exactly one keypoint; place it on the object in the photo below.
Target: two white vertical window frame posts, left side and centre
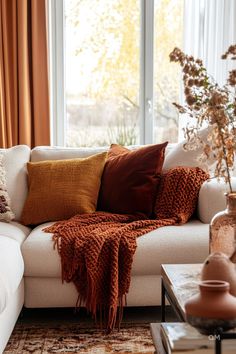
(57, 72)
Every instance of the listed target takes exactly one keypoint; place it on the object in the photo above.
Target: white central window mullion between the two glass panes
(147, 70)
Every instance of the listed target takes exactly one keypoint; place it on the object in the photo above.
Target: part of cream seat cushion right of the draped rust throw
(188, 243)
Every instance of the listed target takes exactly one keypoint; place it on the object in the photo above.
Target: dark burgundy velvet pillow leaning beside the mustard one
(130, 179)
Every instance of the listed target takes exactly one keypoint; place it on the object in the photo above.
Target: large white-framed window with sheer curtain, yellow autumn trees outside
(112, 81)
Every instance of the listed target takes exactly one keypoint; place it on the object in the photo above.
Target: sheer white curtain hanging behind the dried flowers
(209, 29)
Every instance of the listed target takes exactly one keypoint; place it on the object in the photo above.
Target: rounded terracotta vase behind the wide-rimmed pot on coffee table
(218, 266)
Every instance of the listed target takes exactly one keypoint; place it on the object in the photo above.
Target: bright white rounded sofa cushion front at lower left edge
(11, 269)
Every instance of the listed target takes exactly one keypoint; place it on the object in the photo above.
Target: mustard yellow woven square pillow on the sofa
(60, 189)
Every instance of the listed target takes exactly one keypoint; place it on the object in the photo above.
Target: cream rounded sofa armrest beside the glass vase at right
(211, 198)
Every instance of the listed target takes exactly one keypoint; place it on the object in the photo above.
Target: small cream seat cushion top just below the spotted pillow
(14, 230)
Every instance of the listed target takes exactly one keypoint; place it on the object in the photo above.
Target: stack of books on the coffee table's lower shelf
(181, 338)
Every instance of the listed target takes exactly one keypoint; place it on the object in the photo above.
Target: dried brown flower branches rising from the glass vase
(211, 105)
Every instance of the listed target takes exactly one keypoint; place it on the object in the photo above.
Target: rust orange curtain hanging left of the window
(24, 87)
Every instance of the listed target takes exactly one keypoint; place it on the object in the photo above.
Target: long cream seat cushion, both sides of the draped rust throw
(171, 244)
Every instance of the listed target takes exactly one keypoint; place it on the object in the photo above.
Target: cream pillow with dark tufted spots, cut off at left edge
(6, 214)
